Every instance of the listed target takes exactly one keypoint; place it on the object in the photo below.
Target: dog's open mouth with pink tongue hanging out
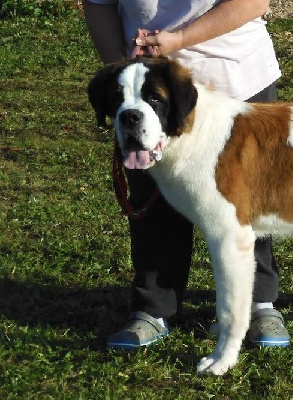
(136, 157)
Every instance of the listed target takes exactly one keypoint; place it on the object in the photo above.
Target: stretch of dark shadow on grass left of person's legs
(81, 310)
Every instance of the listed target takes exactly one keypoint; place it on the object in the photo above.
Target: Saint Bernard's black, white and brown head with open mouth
(150, 100)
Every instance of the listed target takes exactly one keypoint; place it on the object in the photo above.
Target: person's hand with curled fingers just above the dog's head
(156, 43)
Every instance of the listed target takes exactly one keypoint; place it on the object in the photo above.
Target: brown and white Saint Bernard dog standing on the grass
(226, 165)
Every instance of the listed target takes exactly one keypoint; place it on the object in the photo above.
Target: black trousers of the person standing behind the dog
(161, 248)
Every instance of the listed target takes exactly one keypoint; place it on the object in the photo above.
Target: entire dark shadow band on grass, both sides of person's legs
(100, 311)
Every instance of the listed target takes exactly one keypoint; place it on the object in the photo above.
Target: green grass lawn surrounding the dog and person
(65, 268)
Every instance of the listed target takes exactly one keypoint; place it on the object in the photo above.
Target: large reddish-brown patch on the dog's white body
(255, 170)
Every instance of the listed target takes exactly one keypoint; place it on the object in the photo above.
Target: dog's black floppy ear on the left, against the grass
(101, 91)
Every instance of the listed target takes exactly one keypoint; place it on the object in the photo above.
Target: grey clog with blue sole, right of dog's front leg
(267, 329)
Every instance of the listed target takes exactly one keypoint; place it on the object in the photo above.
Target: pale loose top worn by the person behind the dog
(240, 63)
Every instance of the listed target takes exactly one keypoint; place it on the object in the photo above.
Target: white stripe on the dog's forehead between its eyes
(131, 79)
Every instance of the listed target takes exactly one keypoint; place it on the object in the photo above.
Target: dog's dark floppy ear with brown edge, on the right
(183, 98)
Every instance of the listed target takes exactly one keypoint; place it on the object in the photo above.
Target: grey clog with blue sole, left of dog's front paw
(141, 330)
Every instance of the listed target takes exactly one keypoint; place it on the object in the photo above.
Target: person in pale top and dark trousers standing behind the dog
(226, 46)
